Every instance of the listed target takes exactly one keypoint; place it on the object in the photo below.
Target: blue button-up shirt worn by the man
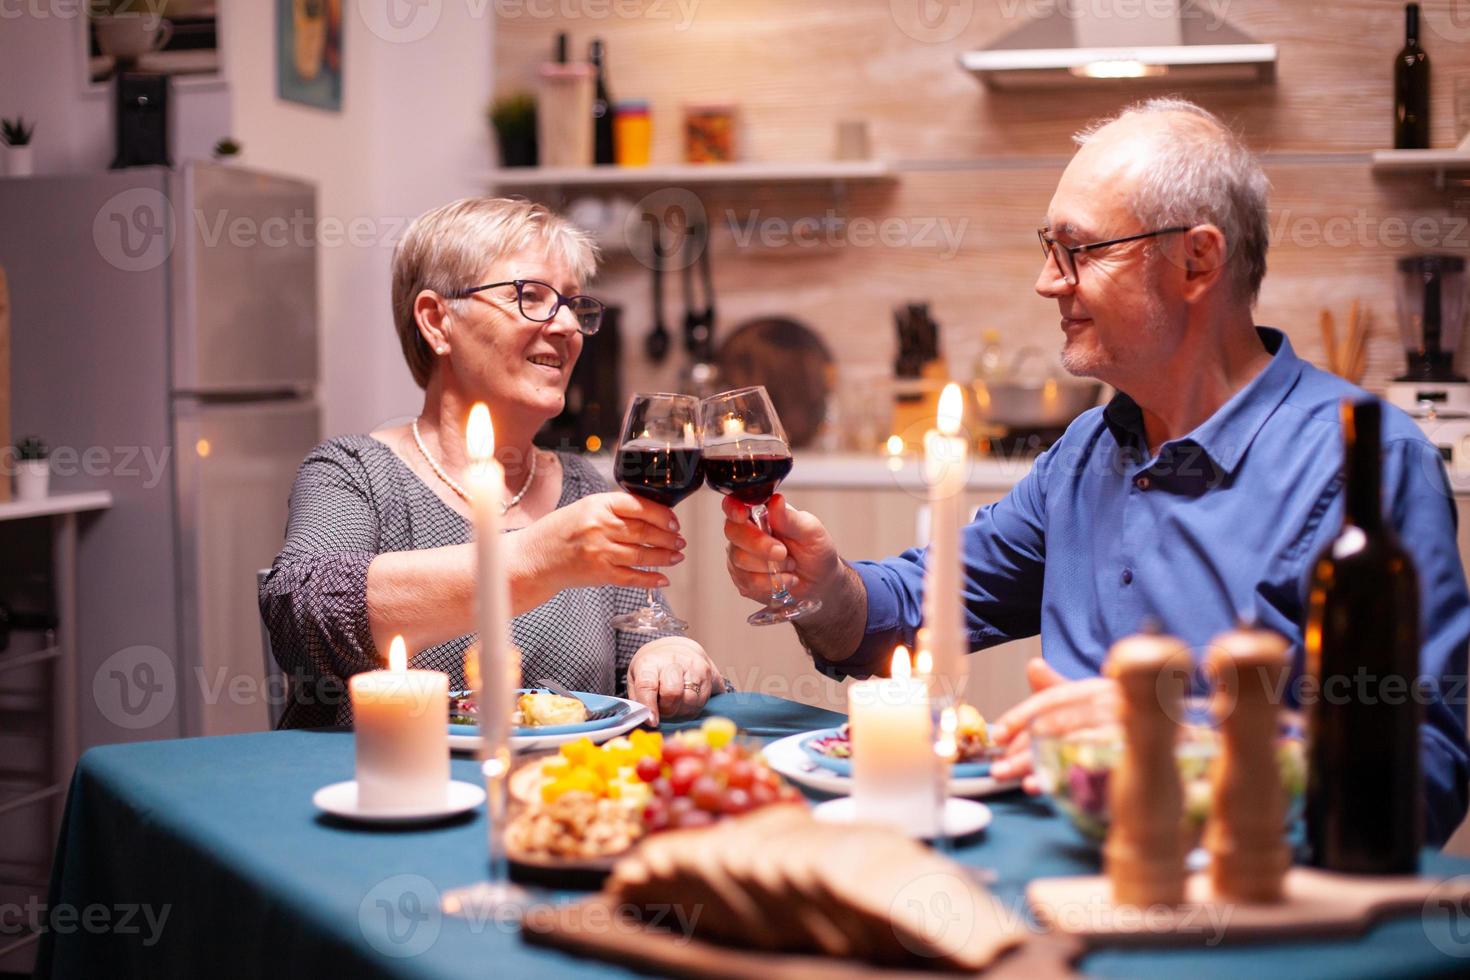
(1221, 524)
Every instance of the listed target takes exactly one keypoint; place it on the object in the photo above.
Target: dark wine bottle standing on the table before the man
(1365, 799)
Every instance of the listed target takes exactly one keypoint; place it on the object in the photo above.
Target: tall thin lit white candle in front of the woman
(487, 483)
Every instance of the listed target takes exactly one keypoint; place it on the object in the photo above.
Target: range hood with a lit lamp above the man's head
(1084, 40)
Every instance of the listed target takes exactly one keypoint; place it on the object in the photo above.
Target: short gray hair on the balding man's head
(1200, 173)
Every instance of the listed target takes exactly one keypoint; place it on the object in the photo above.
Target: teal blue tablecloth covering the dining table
(205, 857)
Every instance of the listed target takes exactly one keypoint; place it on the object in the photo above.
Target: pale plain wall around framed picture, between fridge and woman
(411, 136)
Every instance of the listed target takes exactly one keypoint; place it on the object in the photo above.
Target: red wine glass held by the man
(747, 456)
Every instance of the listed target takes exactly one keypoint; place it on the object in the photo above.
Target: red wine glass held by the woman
(659, 461)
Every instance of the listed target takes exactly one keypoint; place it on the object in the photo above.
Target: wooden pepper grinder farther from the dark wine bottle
(1146, 844)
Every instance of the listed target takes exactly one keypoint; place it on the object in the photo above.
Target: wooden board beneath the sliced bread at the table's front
(595, 928)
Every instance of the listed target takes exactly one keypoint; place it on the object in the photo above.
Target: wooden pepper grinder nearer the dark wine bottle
(1247, 831)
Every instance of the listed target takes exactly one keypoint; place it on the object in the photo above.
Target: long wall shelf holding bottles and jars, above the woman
(690, 174)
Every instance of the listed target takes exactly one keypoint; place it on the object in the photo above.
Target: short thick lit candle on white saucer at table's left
(402, 735)
